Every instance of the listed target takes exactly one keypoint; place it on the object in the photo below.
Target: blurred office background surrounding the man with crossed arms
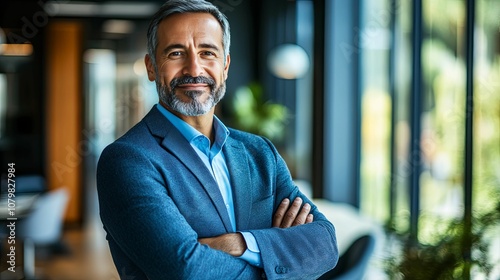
(388, 108)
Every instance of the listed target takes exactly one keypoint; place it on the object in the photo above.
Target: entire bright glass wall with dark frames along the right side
(388, 150)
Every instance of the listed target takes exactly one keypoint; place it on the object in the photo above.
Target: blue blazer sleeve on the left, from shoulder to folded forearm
(148, 236)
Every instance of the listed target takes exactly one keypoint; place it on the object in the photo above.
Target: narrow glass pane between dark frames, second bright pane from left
(401, 154)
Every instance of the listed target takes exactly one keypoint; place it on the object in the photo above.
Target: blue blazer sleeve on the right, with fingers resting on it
(300, 252)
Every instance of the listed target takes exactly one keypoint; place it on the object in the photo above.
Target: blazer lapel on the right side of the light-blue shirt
(241, 182)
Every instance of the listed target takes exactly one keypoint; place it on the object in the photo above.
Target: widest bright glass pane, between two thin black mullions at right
(443, 118)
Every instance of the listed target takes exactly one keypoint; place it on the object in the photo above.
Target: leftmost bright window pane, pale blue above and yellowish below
(376, 108)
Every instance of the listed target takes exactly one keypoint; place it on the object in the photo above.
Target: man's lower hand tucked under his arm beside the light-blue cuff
(231, 243)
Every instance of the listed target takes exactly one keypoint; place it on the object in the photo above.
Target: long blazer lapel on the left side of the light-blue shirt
(175, 143)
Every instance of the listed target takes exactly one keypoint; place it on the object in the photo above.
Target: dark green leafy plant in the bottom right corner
(445, 259)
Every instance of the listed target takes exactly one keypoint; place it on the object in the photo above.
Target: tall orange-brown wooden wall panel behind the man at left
(64, 112)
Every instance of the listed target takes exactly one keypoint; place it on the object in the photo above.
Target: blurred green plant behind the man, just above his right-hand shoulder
(250, 112)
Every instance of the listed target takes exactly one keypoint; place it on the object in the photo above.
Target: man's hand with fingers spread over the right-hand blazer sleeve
(292, 215)
